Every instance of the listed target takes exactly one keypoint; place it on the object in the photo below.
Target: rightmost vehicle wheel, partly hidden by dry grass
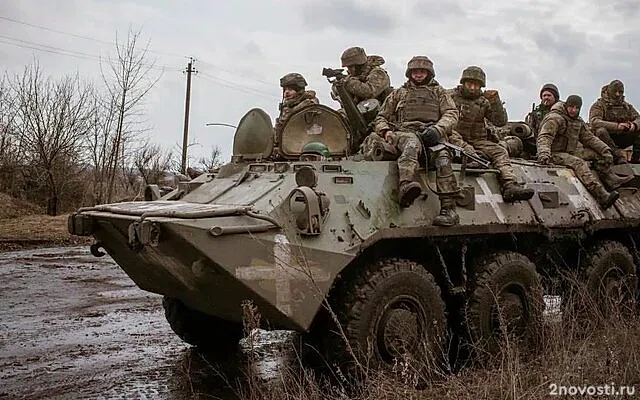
(610, 282)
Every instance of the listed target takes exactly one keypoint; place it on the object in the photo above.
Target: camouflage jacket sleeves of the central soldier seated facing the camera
(390, 115)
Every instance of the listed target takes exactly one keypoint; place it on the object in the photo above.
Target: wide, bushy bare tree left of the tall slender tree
(52, 121)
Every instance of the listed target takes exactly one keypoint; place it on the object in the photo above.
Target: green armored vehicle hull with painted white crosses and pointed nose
(214, 248)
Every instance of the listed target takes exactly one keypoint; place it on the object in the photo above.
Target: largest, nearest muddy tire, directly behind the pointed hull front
(391, 309)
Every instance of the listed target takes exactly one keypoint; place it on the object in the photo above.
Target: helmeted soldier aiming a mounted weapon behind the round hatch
(366, 78)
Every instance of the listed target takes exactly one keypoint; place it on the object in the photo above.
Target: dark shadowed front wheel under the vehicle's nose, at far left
(207, 332)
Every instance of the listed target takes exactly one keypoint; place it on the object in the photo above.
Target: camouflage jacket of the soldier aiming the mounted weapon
(373, 82)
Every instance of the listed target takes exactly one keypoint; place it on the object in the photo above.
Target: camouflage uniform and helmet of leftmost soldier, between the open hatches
(288, 107)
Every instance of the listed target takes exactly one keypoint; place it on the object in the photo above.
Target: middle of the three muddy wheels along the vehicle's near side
(507, 302)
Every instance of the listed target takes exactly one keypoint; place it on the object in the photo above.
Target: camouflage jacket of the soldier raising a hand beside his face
(473, 112)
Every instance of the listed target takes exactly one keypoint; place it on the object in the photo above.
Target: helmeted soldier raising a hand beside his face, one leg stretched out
(470, 133)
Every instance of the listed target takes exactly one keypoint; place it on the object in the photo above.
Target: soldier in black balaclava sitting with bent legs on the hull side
(560, 132)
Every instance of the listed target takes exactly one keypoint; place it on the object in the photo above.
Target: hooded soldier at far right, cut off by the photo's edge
(616, 122)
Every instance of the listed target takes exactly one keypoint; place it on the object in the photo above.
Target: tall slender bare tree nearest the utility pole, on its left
(128, 83)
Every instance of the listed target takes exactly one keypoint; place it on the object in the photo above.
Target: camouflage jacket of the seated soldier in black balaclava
(560, 133)
